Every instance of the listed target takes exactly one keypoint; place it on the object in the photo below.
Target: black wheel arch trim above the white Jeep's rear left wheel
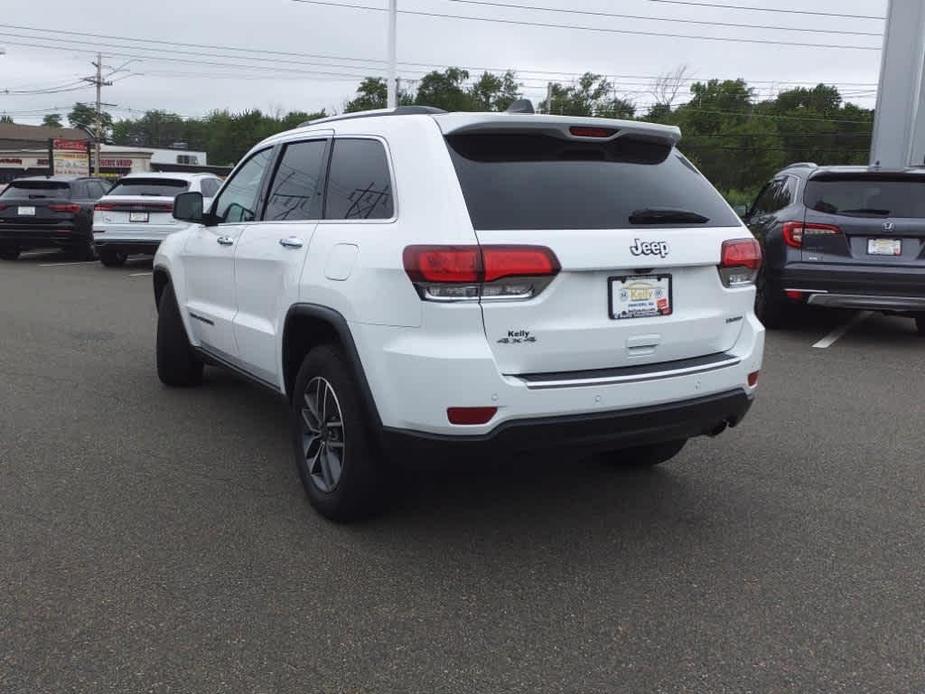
(310, 325)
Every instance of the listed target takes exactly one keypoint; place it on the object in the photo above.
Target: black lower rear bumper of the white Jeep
(595, 431)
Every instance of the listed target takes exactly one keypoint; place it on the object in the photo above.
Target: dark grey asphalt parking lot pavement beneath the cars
(155, 540)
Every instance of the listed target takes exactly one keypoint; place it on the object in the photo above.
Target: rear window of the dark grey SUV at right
(873, 196)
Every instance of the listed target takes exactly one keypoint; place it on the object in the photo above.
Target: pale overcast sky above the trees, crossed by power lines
(237, 76)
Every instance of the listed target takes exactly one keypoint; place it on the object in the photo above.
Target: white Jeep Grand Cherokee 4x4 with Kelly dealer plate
(414, 279)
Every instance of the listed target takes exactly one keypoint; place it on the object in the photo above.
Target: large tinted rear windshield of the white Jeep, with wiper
(528, 181)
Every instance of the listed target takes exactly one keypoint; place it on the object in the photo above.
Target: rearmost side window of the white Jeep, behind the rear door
(359, 183)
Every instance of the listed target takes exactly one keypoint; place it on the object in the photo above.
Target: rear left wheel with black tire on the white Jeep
(356, 491)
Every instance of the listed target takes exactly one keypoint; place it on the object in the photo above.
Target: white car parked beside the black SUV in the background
(137, 214)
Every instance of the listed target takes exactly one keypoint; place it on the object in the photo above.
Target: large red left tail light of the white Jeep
(471, 273)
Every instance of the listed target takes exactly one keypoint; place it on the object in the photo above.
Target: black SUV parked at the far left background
(49, 212)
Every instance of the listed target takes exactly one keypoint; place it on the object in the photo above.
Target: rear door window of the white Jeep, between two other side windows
(296, 189)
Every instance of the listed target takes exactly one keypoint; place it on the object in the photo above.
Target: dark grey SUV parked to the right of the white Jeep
(844, 237)
